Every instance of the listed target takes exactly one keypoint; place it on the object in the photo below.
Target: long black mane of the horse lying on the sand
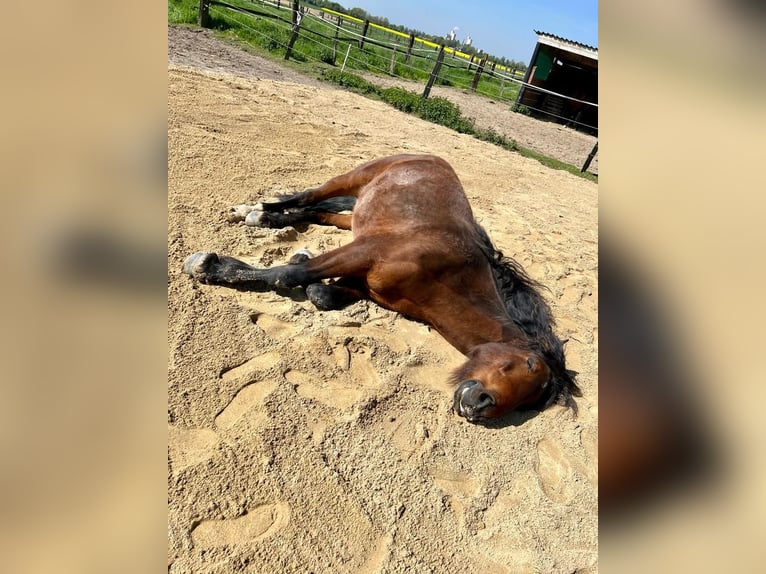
(530, 312)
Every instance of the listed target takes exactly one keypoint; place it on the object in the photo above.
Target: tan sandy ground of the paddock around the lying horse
(306, 441)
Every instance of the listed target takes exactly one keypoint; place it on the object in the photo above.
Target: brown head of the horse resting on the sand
(499, 378)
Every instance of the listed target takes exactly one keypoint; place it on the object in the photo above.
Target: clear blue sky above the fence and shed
(499, 27)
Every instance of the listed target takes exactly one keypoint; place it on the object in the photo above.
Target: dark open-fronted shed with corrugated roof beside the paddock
(563, 83)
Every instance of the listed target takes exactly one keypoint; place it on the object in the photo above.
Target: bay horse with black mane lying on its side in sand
(418, 250)
